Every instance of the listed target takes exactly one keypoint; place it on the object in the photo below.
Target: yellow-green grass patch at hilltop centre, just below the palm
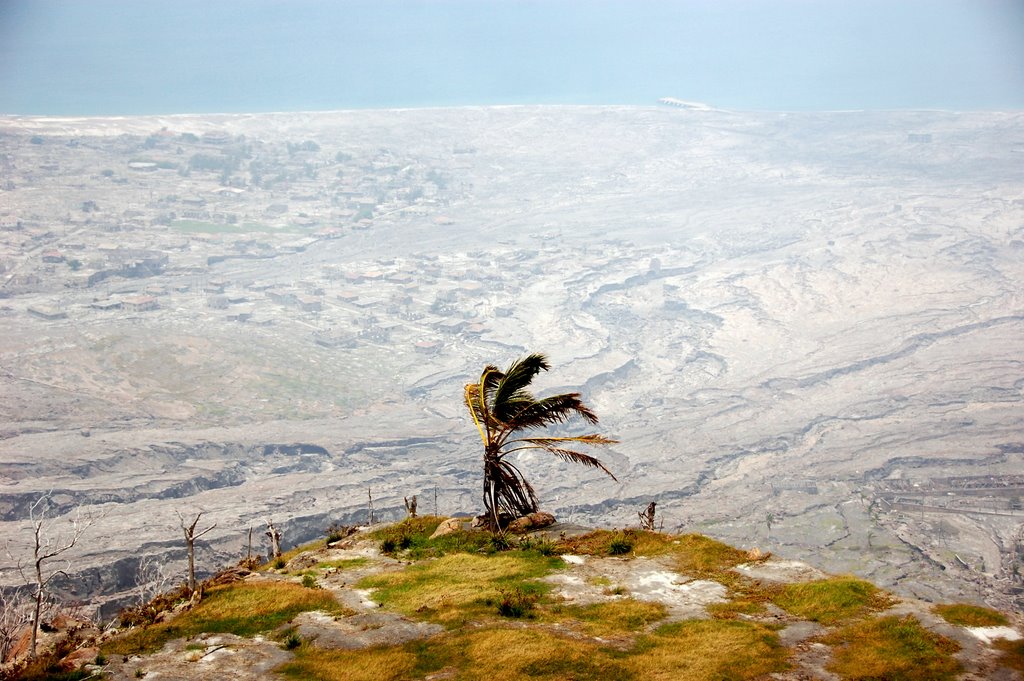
(460, 586)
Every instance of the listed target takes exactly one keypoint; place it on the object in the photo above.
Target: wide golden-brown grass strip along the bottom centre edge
(693, 652)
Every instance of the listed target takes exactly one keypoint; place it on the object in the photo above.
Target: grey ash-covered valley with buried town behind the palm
(805, 330)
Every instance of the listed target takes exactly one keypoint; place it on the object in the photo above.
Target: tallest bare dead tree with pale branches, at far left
(48, 544)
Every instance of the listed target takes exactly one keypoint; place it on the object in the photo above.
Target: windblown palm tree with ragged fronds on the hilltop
(502, 408)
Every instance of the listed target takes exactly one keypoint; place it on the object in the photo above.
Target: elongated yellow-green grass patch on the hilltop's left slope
(242, 609)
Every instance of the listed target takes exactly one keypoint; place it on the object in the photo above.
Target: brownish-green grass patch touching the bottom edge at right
(892, 649)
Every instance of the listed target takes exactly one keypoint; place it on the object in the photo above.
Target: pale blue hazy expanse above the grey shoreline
(135, 57)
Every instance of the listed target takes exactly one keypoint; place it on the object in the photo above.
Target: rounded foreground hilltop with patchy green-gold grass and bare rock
(392, 604)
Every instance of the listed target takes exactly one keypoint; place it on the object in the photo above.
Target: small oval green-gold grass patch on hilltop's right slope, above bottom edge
(832, 601)
